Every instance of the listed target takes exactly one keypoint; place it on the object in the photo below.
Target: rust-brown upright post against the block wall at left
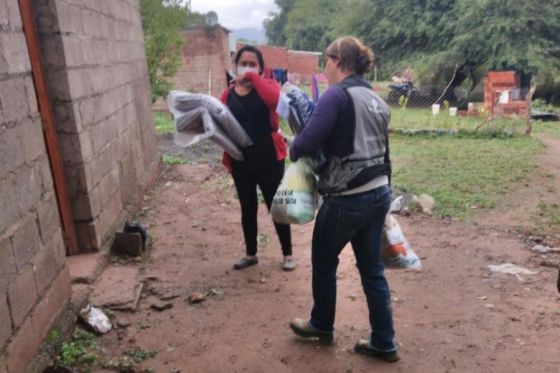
(49, 128)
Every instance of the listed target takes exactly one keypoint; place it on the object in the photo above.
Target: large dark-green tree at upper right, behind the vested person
(435, 36)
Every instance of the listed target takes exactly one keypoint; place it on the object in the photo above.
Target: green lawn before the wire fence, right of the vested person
(462, 173)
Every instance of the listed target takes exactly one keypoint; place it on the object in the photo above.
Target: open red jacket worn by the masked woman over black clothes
(269, 91)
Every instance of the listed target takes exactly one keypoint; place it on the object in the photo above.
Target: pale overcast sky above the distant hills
(236, 14)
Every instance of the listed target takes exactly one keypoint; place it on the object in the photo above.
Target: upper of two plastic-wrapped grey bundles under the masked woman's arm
(180, 102)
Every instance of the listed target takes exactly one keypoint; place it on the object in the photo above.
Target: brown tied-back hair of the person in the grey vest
(351, 54)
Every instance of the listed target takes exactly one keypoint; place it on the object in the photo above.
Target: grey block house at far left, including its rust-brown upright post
(68, 168)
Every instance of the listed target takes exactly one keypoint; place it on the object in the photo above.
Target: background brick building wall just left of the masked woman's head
(205, 61)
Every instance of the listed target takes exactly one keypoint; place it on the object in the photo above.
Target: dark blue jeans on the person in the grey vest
(358, 219)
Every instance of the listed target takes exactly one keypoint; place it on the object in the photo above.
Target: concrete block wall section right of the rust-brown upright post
(98, 81)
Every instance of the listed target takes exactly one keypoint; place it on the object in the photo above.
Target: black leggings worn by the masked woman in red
(267, 177)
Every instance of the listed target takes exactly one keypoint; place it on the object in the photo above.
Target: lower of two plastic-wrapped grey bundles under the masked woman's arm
(197, 125)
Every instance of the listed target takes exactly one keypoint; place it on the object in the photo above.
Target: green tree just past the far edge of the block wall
(162, 22)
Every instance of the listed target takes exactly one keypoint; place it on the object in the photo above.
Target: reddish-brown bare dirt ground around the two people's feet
(454, 315)
